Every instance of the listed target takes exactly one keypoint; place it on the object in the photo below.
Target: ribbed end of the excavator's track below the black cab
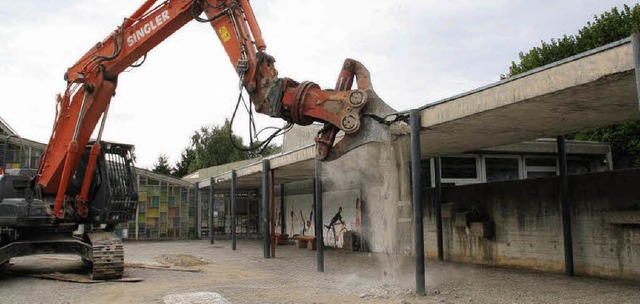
(108, 256)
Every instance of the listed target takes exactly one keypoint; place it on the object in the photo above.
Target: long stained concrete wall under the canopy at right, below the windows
(522, 220)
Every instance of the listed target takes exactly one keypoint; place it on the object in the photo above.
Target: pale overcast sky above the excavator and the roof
(418, 52)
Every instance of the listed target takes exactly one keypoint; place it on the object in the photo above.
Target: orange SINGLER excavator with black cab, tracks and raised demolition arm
(91, 183)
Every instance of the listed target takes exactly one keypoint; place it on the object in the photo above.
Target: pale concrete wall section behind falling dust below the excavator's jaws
(378, 170)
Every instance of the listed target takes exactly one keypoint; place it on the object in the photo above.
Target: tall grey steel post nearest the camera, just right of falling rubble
(417, 201)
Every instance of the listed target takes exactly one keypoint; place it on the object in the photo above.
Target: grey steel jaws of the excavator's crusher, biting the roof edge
(375, 116)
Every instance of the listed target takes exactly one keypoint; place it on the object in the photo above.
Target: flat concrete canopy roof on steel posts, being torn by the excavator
(593, 89)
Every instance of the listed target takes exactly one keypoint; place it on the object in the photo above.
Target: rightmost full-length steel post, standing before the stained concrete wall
(565, 207)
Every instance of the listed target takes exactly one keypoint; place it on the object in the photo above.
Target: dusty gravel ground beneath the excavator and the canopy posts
(244, 276)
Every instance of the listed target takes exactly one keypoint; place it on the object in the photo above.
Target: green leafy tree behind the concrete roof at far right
(608, 27)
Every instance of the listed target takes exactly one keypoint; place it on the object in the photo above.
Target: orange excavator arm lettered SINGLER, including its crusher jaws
(92, 82)
